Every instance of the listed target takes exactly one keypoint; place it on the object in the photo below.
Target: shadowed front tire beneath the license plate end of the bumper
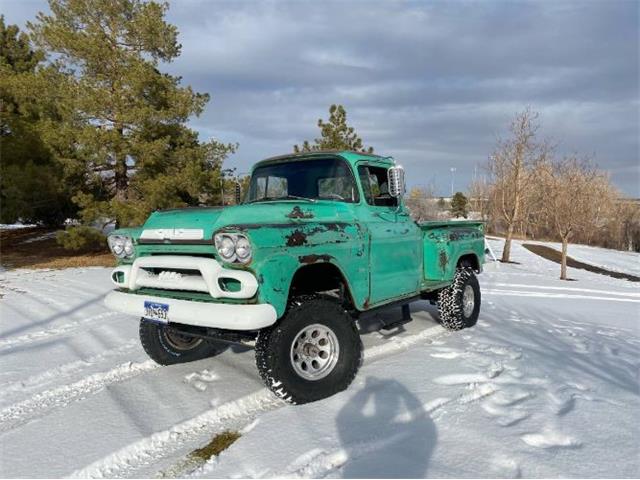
(156, 340)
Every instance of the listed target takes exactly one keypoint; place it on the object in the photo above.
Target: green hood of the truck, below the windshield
(211, 219)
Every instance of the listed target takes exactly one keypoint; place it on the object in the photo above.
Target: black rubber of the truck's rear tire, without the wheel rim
(450, 301)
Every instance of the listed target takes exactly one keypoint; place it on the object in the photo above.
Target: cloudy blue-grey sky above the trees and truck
(432, 84)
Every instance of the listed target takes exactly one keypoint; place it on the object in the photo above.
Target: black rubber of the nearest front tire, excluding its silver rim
(273, 350)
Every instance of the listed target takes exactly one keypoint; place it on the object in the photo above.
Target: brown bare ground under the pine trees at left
(36, 247)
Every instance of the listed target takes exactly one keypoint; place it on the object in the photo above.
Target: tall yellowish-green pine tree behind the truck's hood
(121, 132)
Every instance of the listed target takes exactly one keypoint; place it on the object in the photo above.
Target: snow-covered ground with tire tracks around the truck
(545, 385)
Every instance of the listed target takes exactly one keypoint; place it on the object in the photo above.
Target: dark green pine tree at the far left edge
(31, 187)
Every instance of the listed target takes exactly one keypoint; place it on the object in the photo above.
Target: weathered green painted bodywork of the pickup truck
(382, 254)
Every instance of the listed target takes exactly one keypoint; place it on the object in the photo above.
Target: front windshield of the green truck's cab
(321, 179)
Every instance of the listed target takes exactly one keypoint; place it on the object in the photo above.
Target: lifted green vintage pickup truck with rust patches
(320, 242)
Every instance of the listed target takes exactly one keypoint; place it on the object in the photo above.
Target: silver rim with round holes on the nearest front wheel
(314, 352)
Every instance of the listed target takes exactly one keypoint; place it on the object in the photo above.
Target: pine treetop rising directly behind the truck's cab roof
(335, 134)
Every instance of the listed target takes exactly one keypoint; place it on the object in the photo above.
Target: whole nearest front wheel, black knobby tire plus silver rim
(314, 352)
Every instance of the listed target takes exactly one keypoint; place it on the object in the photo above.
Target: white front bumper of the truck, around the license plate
(227, 316)
